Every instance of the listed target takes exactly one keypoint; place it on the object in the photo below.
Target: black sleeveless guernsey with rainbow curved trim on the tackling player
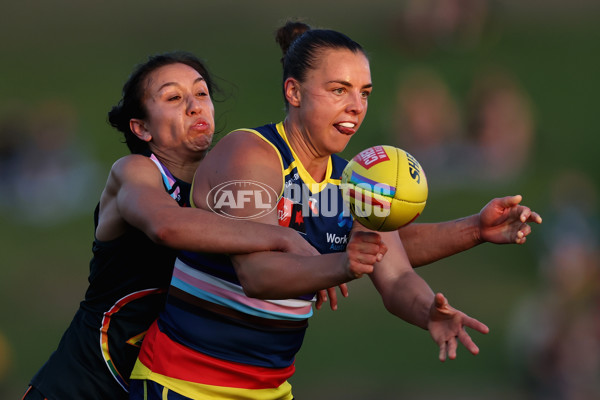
(127, 290)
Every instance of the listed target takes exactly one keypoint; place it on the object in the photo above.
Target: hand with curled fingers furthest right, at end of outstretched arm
(504, 220)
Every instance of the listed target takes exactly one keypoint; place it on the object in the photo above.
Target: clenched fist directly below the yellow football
(364, 249)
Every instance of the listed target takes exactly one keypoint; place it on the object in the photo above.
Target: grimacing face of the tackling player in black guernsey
(180, 113)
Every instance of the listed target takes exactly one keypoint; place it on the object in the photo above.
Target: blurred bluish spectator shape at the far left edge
(47, 175)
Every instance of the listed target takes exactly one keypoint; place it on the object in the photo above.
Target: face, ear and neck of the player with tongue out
(327, 109)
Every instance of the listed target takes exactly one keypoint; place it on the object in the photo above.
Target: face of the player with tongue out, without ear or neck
(334, 99)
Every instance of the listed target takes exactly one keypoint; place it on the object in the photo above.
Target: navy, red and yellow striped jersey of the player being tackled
(212, 341)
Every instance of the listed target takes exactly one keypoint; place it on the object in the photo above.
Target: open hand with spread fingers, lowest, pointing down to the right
(447, 327)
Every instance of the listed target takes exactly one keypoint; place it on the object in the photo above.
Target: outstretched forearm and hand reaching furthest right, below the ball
(501, 221)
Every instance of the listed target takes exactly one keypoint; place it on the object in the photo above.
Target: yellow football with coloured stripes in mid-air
(384, 187)
